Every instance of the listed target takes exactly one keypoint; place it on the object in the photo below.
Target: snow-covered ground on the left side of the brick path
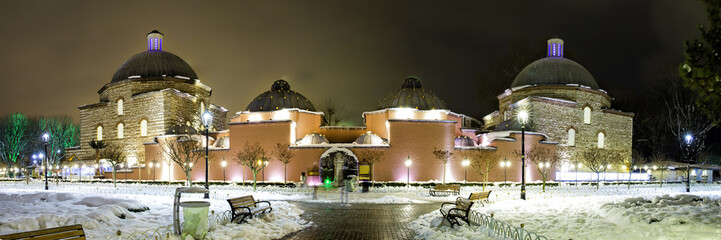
(131, 208)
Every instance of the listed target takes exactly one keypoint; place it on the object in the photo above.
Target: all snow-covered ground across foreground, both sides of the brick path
(644, 211)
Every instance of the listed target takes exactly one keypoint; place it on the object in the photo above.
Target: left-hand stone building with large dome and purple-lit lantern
(148, 95)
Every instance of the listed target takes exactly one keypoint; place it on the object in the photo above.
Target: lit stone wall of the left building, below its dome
(162, 109)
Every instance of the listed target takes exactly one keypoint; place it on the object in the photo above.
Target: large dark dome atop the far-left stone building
(154, 64)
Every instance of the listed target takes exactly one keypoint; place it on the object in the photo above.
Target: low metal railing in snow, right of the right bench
(499, 229)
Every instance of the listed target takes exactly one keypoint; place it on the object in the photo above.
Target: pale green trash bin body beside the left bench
(195, 219)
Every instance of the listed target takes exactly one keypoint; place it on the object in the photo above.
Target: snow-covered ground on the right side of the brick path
(612, 212)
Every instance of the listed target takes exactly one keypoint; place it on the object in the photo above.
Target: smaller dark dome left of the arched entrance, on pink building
(280, 96)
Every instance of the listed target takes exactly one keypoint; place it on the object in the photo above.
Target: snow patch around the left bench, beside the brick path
(284, 219)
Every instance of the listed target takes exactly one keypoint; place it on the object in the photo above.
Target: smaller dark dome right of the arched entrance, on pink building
(412, 95)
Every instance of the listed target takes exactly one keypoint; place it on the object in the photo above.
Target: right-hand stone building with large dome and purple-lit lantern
(566, 104)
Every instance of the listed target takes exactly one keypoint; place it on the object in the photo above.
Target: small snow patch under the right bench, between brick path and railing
(433, 226)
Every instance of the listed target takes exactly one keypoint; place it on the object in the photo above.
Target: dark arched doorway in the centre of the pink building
(337, 163)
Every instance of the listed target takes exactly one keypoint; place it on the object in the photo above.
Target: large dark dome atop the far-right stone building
(554, 71)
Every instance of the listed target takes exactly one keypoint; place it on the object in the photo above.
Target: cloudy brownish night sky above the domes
(56, 55)
